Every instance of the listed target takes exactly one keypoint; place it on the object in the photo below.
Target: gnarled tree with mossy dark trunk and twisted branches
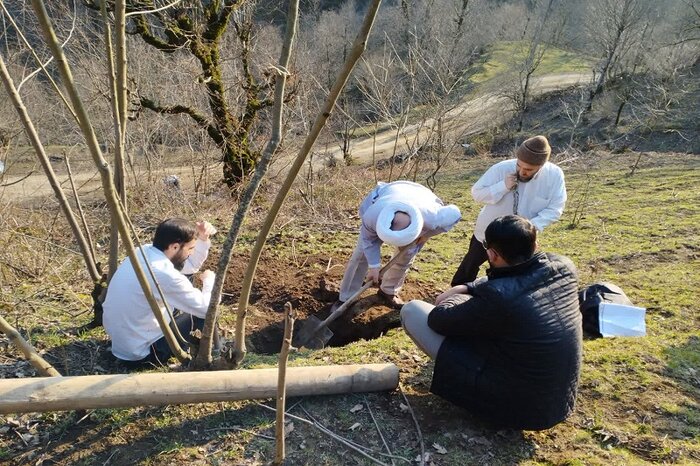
(197, 28)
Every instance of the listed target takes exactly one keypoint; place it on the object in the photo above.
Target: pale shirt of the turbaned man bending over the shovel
(415, 194)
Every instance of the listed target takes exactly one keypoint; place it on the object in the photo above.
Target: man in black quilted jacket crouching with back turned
(508, 347)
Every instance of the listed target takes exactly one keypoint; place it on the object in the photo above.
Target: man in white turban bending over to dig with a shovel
(398, 213)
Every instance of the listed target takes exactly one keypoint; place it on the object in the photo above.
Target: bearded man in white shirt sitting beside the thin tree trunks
(179, 248)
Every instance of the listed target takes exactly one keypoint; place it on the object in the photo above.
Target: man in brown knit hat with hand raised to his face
(529, 186)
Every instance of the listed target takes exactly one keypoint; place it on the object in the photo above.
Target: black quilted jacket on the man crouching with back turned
(525, 349)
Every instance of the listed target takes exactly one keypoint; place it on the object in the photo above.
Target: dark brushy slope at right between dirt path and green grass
(661, 116)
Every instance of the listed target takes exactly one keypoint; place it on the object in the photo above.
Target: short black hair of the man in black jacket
(513, 237)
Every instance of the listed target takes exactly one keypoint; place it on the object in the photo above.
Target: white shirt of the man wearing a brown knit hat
(541, 200)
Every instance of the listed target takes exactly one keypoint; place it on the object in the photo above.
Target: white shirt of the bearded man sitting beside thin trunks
(128, 318)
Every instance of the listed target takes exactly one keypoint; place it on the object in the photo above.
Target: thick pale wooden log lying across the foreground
(154, 389)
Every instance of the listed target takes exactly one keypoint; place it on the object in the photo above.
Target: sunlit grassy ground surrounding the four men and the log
(638, 397)
